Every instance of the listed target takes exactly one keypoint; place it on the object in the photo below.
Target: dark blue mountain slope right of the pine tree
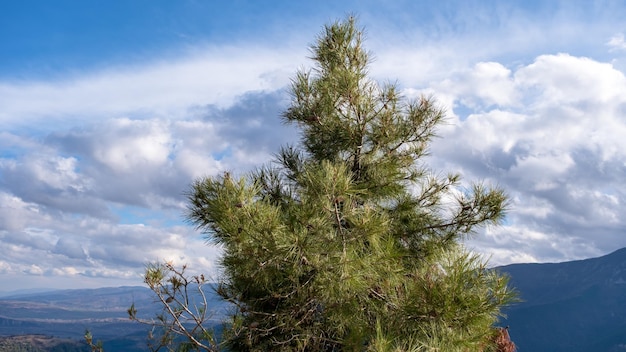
(576, 306)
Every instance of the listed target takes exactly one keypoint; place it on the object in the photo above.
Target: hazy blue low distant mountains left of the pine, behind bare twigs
(66, 314)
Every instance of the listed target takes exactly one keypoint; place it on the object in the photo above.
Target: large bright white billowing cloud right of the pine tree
(560, 156)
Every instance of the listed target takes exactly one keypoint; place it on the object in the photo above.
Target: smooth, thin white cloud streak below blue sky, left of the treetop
(212, 76)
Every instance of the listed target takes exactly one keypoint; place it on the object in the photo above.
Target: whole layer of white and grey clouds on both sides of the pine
(94, 166)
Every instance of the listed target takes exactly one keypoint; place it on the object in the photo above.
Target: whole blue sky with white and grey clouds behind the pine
(110, 109)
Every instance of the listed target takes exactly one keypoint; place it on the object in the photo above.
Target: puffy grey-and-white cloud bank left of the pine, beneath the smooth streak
(100, 200)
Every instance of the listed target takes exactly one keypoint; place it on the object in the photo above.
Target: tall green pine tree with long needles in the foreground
(348, 241)
